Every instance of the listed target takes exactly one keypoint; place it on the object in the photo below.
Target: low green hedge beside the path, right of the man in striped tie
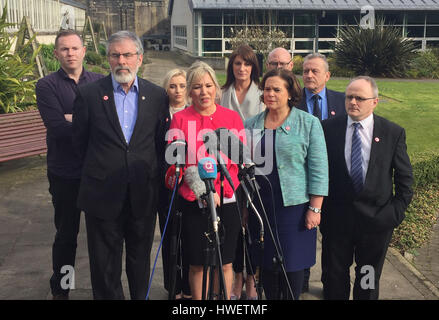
(422, 212)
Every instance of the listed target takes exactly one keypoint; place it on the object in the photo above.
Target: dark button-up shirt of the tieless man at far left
(55, 95)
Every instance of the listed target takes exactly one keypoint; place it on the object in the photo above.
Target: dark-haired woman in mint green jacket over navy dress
(292, 146)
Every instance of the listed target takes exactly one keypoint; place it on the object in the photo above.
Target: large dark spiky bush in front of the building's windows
(381, 51)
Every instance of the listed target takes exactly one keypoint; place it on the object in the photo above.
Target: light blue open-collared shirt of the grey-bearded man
(126, 107)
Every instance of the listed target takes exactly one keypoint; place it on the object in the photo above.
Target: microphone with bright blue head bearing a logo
(207, 171)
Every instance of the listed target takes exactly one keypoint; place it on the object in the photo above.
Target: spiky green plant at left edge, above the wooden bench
(17, 89)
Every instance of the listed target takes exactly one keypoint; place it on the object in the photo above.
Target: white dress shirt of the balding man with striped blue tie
(365, 132)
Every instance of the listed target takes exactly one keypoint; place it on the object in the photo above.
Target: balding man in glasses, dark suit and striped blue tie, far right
(370, 179)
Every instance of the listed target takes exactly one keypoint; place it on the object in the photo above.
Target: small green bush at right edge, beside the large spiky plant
(425, 65)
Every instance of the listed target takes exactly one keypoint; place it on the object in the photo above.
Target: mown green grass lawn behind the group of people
(414, 105)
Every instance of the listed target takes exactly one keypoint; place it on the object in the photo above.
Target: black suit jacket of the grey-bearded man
(110, 165)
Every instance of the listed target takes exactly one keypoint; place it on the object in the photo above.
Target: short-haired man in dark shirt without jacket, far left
(55, 94)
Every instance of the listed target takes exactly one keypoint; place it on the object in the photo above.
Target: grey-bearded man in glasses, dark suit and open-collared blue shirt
(115, 126)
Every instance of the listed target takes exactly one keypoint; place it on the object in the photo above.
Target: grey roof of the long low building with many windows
(317, 4)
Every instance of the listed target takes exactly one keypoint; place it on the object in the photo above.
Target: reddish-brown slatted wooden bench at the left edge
(22, 134)
